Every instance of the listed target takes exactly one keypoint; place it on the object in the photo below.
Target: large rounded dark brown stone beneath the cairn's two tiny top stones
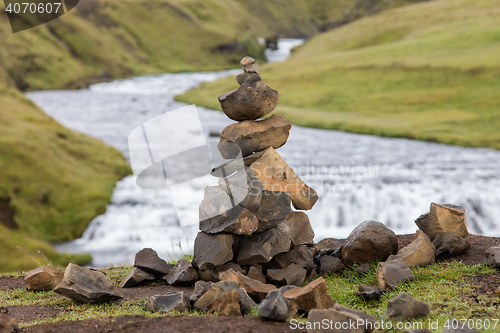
(249, 102)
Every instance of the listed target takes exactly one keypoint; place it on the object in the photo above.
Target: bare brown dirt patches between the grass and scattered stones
(485, 283)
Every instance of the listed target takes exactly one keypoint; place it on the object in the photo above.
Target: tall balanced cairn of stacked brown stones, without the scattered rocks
(247, 222)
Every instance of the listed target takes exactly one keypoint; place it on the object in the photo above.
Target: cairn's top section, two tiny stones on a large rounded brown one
(253, 99)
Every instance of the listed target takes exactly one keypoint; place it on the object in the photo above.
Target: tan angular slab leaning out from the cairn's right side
(276, 175)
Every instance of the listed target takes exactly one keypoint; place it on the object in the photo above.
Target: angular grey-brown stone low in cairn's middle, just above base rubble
(263, 247)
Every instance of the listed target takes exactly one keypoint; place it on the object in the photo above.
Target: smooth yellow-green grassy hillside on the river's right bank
(427, 71)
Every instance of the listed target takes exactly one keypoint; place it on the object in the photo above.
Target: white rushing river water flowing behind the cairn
(358, 177)
